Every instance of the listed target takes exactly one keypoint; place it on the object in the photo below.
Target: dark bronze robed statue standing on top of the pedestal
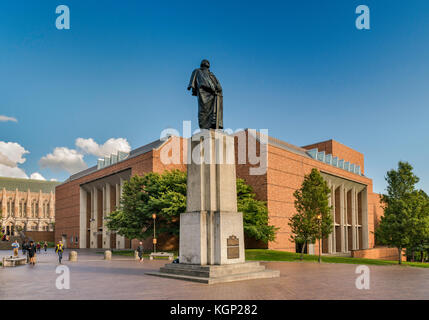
(207, 88)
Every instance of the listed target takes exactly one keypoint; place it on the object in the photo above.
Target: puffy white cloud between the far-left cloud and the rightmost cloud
(64, 159)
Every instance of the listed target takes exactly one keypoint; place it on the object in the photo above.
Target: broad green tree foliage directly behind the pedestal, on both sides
(165, 195)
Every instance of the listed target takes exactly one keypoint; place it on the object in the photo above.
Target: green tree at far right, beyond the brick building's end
(403, 208)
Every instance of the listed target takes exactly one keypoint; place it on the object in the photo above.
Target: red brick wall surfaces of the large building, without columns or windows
(285, 173)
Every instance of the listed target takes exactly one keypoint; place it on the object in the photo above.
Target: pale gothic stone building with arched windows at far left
(28, 205)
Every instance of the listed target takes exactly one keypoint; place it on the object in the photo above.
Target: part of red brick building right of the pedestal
(356, 208)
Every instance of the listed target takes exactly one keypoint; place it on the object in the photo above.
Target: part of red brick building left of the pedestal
(88, 196)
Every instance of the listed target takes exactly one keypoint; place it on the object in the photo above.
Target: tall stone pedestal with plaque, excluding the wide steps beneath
(211, 219)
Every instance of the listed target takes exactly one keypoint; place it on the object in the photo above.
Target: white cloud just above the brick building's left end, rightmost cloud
(111, 146)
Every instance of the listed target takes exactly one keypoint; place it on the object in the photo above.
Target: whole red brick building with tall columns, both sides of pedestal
(87, 197)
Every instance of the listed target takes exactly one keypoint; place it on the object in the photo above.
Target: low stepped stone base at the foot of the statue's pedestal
(211, 274)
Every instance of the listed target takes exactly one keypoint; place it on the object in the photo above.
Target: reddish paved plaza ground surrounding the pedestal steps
(123, 278)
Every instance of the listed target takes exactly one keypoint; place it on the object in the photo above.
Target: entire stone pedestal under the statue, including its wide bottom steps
(211, 239)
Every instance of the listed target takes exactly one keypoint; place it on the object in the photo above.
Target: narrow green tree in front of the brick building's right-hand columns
(313, 218)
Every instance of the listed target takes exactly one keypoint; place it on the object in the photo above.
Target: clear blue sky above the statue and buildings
(299, 68)
